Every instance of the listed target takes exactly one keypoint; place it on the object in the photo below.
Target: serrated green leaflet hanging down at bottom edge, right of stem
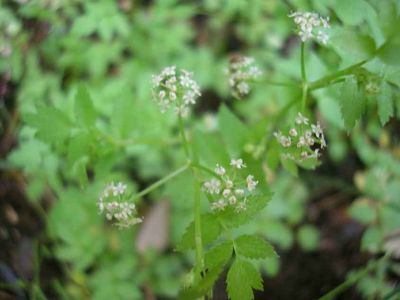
(242, 278)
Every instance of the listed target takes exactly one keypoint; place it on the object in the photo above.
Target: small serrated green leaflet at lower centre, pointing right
(252, 246)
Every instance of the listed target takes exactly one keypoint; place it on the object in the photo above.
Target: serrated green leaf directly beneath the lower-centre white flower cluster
(231, 218)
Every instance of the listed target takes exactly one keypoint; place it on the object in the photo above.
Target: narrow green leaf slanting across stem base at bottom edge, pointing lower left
(205, 284)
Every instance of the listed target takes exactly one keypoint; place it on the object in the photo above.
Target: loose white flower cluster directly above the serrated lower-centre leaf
(230, 189)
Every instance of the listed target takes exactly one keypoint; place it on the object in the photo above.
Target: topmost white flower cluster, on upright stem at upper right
(310, 25)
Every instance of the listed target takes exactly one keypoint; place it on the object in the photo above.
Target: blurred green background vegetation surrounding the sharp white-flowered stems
(337, 224)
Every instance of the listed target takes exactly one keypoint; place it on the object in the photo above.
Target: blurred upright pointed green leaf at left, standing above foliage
(84, 110)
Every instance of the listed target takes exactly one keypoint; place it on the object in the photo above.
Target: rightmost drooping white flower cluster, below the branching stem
(304, 140)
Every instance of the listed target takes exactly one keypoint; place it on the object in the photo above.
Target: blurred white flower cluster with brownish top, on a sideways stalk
(241, 70)
